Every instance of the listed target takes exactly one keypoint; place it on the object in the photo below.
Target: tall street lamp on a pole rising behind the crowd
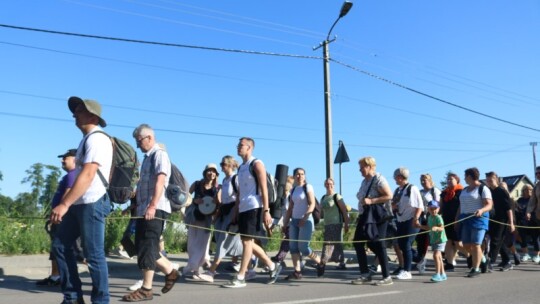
(327, 103)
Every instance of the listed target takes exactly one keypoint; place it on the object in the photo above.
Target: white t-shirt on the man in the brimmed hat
(97, 149)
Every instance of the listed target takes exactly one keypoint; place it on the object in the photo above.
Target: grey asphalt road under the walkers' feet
(18, 275)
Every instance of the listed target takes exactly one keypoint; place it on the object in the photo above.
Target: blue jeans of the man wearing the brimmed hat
(88, 222)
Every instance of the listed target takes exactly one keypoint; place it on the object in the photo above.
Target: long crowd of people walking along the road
(475, 220)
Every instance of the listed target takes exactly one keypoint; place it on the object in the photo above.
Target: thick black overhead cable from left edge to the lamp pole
(157, 43)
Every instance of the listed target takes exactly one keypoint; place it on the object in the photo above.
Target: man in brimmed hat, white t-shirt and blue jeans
(82, 211)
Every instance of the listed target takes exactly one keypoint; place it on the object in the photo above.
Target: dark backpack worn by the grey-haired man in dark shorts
(178, 190)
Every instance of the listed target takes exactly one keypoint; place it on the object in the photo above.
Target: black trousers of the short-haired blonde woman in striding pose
(378, 248)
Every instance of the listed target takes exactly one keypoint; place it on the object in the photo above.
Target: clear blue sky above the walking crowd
(480, 55)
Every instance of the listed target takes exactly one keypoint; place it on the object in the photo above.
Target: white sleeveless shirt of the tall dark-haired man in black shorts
(247, 188)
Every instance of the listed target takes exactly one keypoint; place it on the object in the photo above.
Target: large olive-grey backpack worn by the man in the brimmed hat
(124, 170)
